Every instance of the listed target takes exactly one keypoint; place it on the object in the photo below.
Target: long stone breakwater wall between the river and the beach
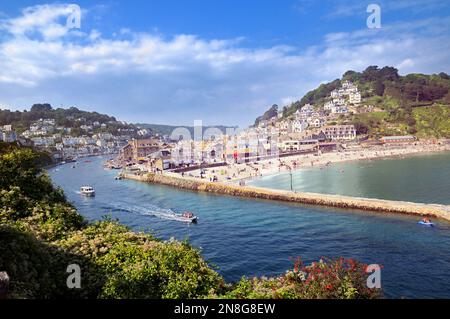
(337, 201)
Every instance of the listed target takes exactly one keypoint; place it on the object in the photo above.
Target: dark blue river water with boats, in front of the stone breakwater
(253, 238)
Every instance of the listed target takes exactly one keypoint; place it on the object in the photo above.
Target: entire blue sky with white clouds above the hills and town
(224, 62)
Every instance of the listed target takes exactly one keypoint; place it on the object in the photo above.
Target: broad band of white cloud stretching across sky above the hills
(149, 78)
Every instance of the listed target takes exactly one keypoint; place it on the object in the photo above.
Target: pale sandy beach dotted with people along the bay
(246, 171)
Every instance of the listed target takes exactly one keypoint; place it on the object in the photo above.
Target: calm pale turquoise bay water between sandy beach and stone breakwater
(424, 179)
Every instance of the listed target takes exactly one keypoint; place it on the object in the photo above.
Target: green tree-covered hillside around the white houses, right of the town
(416, 104)
